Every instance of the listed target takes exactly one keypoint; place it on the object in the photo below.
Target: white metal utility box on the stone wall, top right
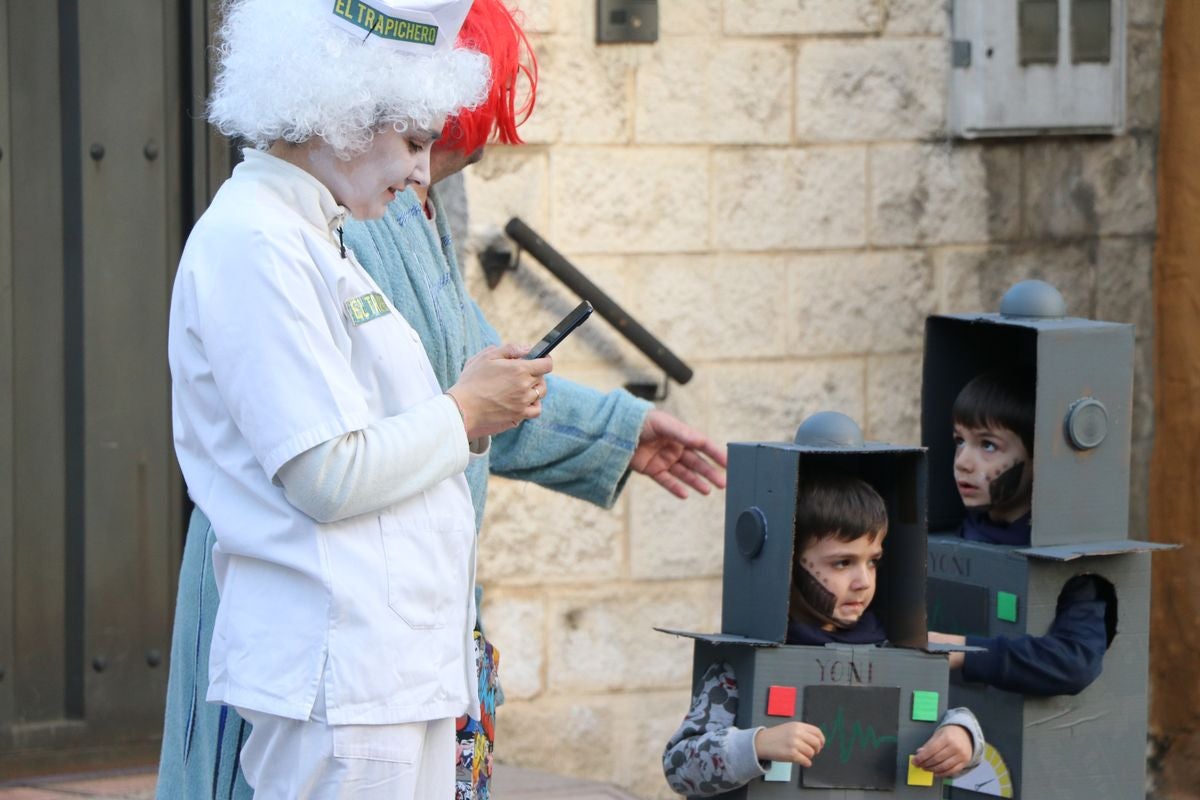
(1037, 68)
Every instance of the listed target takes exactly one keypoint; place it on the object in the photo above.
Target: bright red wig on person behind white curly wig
(493, 29)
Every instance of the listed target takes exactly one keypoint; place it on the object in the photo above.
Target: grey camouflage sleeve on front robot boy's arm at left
(709, 755)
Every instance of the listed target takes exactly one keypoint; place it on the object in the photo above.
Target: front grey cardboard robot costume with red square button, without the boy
(875, 705)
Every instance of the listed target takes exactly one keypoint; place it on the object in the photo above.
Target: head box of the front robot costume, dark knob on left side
(760, 515)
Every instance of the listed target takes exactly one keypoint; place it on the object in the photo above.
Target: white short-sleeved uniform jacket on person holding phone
(268, 359)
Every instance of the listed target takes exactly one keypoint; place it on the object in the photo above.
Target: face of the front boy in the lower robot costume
(848, 573)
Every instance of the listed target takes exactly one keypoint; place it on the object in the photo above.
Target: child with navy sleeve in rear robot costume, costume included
(1042, 574)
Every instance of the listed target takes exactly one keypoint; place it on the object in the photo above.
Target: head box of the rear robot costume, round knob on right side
(1083, 419)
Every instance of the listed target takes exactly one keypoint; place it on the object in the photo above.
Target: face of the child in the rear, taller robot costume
(993, 471)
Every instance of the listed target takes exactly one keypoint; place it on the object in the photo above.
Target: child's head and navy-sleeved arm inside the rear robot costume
(994, 473)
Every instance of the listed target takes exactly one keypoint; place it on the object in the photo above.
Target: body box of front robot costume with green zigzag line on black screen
(865, 699)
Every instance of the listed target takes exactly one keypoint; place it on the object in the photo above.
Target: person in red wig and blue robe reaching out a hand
(585, 444)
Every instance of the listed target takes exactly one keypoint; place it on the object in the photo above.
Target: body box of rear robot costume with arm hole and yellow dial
(1089, 745)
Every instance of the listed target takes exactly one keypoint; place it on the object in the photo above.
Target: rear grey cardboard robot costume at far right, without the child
(1091, 744)
